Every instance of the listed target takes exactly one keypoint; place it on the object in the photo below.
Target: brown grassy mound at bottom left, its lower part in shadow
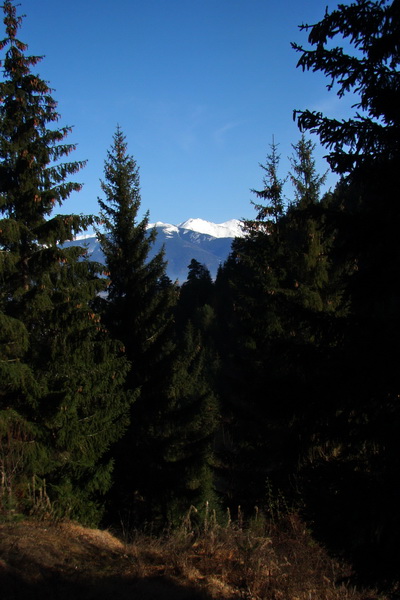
(66, 561)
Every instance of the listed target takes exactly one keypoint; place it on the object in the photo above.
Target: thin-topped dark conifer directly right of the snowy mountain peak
(249, 282)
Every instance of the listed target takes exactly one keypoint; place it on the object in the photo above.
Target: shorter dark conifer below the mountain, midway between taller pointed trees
(194, 376)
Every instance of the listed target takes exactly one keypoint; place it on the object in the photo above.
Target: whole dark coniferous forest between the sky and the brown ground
(126, 397)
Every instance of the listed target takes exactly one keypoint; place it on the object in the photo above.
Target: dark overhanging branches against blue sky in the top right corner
(370, 69)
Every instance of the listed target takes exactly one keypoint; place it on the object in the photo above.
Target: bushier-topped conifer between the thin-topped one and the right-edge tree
(311, 293)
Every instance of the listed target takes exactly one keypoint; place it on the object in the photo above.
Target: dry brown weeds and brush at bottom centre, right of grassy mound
(261, 559)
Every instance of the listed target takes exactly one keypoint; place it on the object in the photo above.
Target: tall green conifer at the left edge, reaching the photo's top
(62, 375)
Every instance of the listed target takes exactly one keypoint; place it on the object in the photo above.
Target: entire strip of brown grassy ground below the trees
(262, 561)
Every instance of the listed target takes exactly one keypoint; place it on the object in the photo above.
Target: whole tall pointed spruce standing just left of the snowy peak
(138, 310)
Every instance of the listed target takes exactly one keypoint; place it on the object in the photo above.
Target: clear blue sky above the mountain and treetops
(199, 88)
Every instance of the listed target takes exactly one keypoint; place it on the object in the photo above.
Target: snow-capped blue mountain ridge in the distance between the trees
(207, 242)
